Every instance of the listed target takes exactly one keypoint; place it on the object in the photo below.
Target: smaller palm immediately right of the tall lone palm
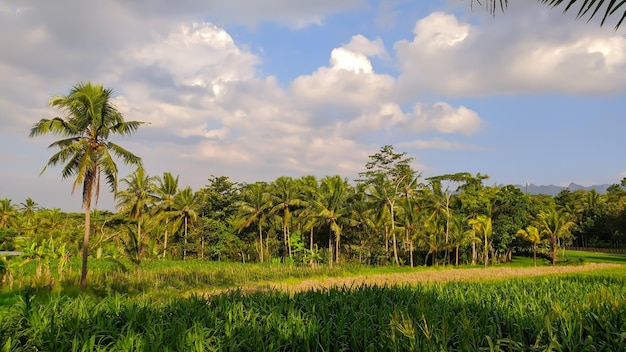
(137, 197)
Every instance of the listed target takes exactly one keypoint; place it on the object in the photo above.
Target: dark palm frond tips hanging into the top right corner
(587, 8)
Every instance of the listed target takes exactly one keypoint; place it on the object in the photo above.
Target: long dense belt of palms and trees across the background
(389, 216)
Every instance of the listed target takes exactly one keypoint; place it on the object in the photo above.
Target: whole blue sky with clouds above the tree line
(254, 90)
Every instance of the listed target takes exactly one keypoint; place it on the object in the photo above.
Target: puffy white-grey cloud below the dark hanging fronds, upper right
(526, 54)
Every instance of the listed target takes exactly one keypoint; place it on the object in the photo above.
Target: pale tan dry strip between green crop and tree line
(444, 275)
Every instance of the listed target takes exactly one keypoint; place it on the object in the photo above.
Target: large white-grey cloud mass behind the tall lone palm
(207, 107)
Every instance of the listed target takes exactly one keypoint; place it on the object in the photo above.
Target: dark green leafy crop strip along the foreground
(561, 313)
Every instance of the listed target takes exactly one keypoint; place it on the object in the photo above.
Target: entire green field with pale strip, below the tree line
(236, 307)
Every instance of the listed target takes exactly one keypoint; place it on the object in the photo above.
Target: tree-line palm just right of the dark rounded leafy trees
(254, 208)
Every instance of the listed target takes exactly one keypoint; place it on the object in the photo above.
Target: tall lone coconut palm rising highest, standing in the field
(90, 119)
